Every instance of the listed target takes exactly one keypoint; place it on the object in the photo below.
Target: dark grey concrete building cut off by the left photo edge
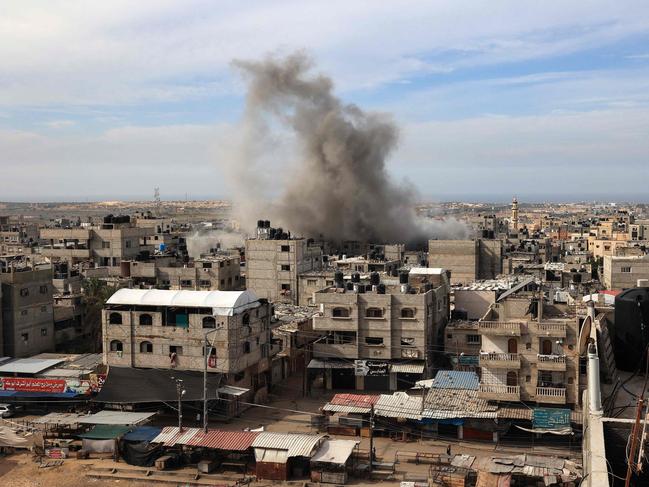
(27, 309)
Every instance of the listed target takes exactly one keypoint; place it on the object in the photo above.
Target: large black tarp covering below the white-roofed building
(125, 385)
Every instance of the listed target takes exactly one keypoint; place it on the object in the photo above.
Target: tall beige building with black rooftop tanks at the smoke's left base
(274, 260)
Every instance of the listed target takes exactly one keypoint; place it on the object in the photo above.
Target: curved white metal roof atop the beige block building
(223, 303)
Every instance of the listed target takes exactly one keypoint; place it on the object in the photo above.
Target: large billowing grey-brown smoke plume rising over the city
(339, 186)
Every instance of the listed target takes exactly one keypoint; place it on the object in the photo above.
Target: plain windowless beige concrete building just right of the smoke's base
(468, 260)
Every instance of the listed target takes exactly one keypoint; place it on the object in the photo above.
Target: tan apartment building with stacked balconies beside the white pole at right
(528, 359)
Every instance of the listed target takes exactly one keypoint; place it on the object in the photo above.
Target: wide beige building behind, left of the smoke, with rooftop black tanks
(117, 239)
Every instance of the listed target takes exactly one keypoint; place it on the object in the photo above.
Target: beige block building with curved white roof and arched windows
(167, 329)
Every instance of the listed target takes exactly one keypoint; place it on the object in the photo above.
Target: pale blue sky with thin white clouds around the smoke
(107, 100)
